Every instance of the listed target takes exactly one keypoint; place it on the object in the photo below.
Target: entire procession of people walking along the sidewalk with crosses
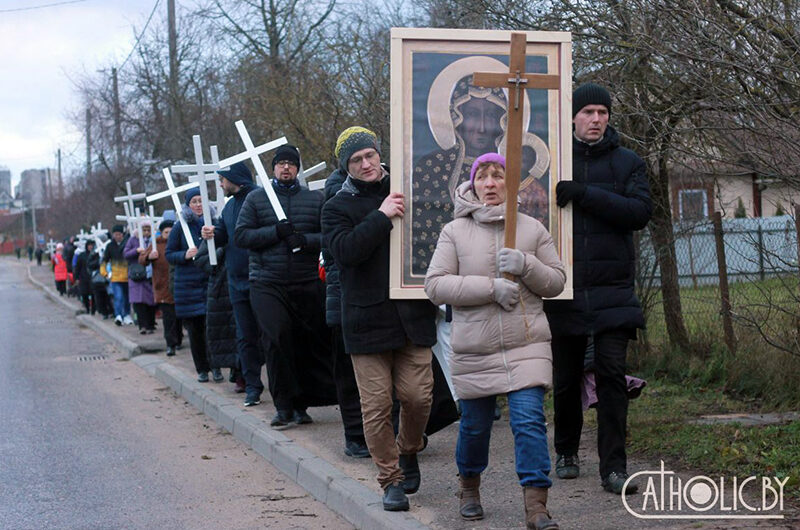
(297, 281)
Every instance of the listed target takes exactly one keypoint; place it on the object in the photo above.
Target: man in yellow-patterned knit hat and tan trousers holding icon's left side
(389, 341)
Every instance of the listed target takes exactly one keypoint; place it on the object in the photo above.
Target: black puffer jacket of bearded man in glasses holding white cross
(271, 259)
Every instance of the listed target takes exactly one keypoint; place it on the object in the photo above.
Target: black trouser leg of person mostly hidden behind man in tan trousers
(346, 388)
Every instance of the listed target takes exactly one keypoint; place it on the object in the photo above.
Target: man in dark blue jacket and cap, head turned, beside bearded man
(237, 183)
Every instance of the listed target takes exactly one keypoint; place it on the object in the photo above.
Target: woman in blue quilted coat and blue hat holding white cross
(191, 283)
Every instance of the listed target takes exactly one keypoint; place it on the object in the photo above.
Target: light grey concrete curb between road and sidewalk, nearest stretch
(353, 501)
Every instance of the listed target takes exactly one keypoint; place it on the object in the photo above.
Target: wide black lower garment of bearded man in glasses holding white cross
(292, 321)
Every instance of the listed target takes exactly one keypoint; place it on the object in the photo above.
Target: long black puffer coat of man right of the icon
(616, 202)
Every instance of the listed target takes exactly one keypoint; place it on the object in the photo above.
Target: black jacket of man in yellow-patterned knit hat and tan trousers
(357, 235)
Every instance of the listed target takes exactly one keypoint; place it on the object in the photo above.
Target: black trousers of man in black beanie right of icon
(612, 406)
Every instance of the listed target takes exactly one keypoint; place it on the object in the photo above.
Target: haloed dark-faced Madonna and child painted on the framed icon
(473, 123)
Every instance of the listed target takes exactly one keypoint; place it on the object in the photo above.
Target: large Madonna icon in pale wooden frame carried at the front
(442, 121)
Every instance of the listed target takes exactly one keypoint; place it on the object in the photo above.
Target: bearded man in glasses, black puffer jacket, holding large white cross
(286, 293)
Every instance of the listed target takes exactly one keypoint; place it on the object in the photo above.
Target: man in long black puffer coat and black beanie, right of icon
(611, 198)
